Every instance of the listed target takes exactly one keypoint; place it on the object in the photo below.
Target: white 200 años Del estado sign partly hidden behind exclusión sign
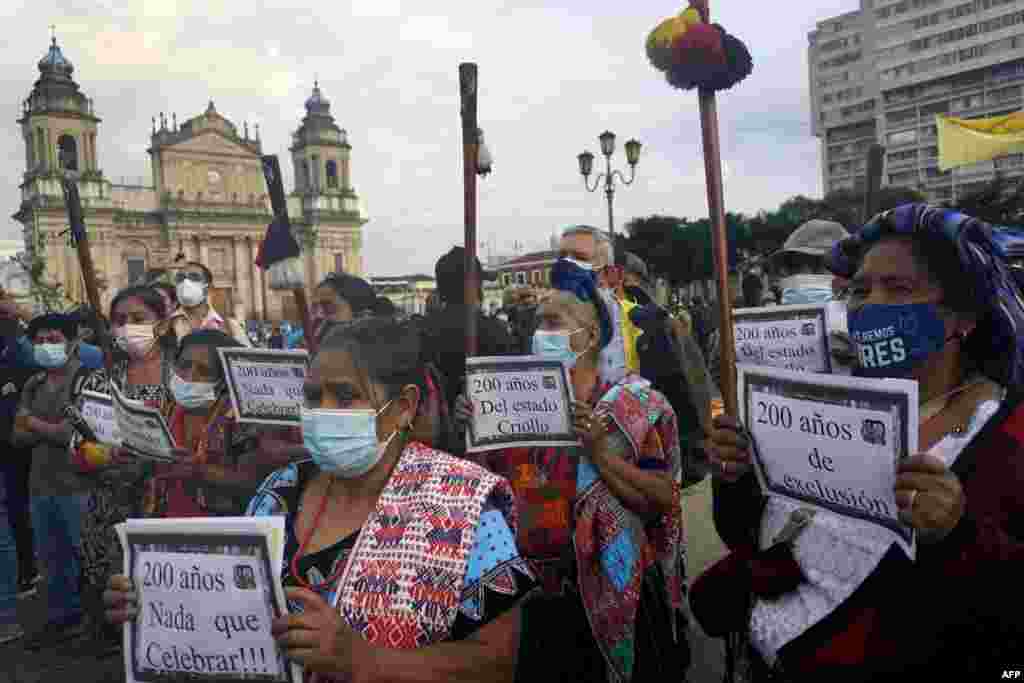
(789, 337)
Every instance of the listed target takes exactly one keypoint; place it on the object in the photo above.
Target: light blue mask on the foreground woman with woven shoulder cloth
(345, 443)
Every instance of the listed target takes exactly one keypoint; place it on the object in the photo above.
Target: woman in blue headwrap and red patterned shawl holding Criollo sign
(603, 523)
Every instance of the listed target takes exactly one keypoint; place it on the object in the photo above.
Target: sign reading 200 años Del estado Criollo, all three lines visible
(523, 401)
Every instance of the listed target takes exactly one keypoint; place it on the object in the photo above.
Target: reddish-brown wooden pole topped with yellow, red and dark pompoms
(716, 209)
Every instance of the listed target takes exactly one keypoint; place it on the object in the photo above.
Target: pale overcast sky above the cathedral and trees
(553, 76)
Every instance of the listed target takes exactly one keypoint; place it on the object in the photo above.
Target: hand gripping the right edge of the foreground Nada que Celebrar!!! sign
(319, 638)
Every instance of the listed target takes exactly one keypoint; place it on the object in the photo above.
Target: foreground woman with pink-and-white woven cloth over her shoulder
(415, 548)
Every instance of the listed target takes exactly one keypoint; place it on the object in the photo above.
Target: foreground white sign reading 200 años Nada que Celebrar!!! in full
(206, 605)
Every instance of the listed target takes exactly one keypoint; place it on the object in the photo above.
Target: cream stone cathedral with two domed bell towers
(208, 201)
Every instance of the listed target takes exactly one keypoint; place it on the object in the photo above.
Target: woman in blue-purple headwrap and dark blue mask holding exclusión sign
(839, 602)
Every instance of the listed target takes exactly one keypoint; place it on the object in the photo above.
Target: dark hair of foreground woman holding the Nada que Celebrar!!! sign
(389, 351)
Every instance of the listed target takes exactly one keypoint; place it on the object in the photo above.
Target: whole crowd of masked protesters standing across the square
(559, 564)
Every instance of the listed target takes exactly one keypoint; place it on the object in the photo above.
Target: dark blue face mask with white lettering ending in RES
(892, 340)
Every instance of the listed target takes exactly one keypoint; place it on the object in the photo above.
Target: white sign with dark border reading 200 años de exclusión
(832, 443)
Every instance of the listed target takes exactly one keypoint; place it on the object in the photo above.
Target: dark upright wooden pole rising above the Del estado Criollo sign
(471, 145)
